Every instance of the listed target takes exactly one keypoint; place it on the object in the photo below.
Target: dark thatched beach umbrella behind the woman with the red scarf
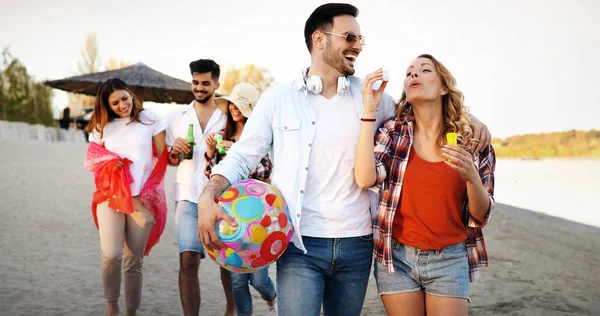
(147, 84)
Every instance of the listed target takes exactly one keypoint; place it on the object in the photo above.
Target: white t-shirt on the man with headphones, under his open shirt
(334, 205)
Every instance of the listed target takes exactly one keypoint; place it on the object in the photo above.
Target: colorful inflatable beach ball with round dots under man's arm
(264, 228)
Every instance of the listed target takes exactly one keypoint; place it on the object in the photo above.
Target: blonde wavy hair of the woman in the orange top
(455, 113)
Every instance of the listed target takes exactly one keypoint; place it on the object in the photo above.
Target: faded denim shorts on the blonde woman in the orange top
(436, 272)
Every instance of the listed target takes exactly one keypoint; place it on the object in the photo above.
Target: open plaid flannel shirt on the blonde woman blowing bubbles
(392, 147)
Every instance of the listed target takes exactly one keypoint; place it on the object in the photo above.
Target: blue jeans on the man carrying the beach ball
(333, 273)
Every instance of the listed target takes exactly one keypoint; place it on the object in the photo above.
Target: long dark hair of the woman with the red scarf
(103, 113)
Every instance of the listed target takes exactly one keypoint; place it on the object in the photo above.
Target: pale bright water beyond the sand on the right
(566, 188)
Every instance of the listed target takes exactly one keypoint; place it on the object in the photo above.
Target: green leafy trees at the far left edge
(21, 98)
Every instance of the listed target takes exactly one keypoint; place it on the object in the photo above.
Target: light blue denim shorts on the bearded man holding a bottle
(186, 220)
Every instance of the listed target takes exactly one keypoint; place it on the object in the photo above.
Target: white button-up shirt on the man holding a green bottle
(191, 181)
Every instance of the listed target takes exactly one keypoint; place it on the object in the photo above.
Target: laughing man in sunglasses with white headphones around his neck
(312, 126)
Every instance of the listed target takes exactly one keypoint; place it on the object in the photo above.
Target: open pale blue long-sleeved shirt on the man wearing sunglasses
(284, 124)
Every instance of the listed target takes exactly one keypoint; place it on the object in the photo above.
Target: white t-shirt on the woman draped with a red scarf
(132, 141)
